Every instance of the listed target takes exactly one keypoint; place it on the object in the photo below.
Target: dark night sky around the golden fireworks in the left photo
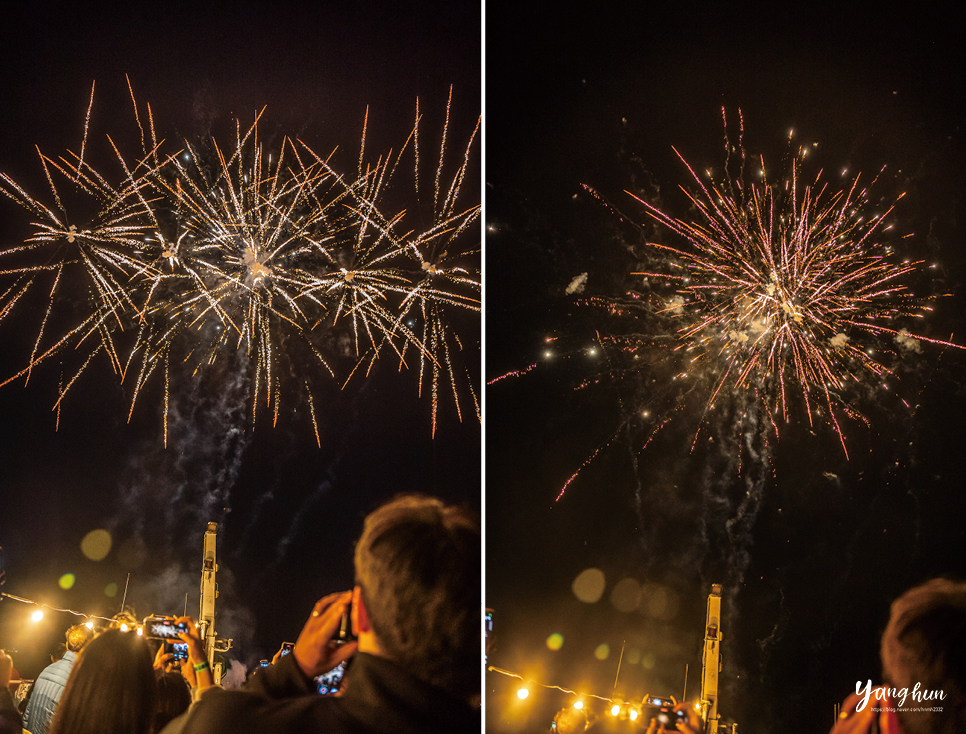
(289, 510)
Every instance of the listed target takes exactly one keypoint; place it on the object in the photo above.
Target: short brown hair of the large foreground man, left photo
(418, 565)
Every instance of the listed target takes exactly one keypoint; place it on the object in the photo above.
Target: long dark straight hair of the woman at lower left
(111, 688)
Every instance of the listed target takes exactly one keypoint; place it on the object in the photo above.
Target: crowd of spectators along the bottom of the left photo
(410, 628)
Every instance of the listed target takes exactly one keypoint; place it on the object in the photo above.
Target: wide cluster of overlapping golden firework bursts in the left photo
(206, 251)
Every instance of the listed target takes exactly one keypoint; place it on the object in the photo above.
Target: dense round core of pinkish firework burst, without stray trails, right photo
(786, 295)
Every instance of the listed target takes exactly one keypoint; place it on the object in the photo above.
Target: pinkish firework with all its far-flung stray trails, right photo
(773, 302)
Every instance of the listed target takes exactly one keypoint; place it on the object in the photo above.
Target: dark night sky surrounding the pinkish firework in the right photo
(598, 96)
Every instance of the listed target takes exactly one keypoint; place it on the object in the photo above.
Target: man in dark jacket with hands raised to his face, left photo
(416, 610)
